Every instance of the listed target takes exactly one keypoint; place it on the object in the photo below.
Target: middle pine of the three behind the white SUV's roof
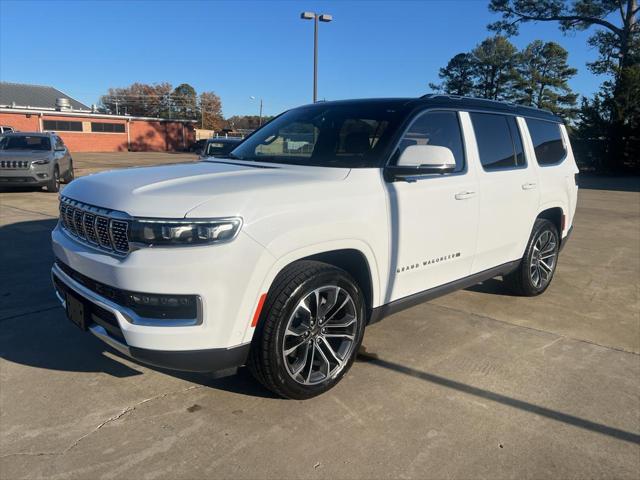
(494, 61)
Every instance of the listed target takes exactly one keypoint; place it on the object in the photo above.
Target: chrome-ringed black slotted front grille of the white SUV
(96, 226)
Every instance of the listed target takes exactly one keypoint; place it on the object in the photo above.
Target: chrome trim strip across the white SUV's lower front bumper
(122, 312)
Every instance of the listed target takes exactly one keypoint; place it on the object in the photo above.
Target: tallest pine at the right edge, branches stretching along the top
(617, 41)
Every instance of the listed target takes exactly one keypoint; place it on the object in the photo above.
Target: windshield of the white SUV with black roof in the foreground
(325, 135)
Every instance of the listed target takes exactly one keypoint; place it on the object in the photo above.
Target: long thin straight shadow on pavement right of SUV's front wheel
(374, 359)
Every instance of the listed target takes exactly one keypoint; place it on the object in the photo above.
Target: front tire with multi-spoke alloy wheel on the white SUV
(291, 321)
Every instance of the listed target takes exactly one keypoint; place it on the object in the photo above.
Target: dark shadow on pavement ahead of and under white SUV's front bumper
(34, 330)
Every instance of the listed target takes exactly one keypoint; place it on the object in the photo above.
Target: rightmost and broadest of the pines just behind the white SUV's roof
(542, 74)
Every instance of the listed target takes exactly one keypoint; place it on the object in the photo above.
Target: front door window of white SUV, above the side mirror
(441, 129)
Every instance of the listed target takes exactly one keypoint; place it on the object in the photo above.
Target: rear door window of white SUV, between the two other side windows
(499, 142)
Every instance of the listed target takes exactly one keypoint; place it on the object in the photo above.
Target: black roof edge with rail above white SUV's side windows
(454, 101)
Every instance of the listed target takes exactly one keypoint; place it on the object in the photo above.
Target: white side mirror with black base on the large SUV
(417, 160)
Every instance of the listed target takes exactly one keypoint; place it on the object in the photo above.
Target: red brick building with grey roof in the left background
(36, 108)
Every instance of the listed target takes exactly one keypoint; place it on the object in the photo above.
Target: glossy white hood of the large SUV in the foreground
(171, 191)
